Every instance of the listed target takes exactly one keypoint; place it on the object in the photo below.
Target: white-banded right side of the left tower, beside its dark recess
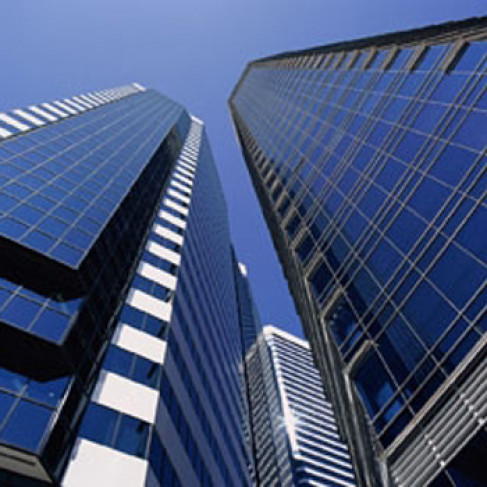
(193, 378)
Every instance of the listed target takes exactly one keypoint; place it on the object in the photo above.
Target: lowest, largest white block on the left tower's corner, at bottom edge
(93, 464)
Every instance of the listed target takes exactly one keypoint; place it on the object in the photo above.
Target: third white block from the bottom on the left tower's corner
(139, 342)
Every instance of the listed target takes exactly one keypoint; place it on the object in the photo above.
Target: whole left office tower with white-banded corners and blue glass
(119, 337)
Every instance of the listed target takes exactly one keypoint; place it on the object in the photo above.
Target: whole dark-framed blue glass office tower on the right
(368, 158)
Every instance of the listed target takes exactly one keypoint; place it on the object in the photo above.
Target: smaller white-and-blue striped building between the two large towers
(295, 436)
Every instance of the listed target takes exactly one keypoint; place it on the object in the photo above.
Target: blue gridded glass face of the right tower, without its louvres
(372, 161)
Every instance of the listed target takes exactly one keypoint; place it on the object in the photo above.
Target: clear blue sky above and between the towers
(194, 52)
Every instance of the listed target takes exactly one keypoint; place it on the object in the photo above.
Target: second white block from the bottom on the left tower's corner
(127, 396)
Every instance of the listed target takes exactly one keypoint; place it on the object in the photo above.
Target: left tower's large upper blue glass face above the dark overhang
(61, 183)
